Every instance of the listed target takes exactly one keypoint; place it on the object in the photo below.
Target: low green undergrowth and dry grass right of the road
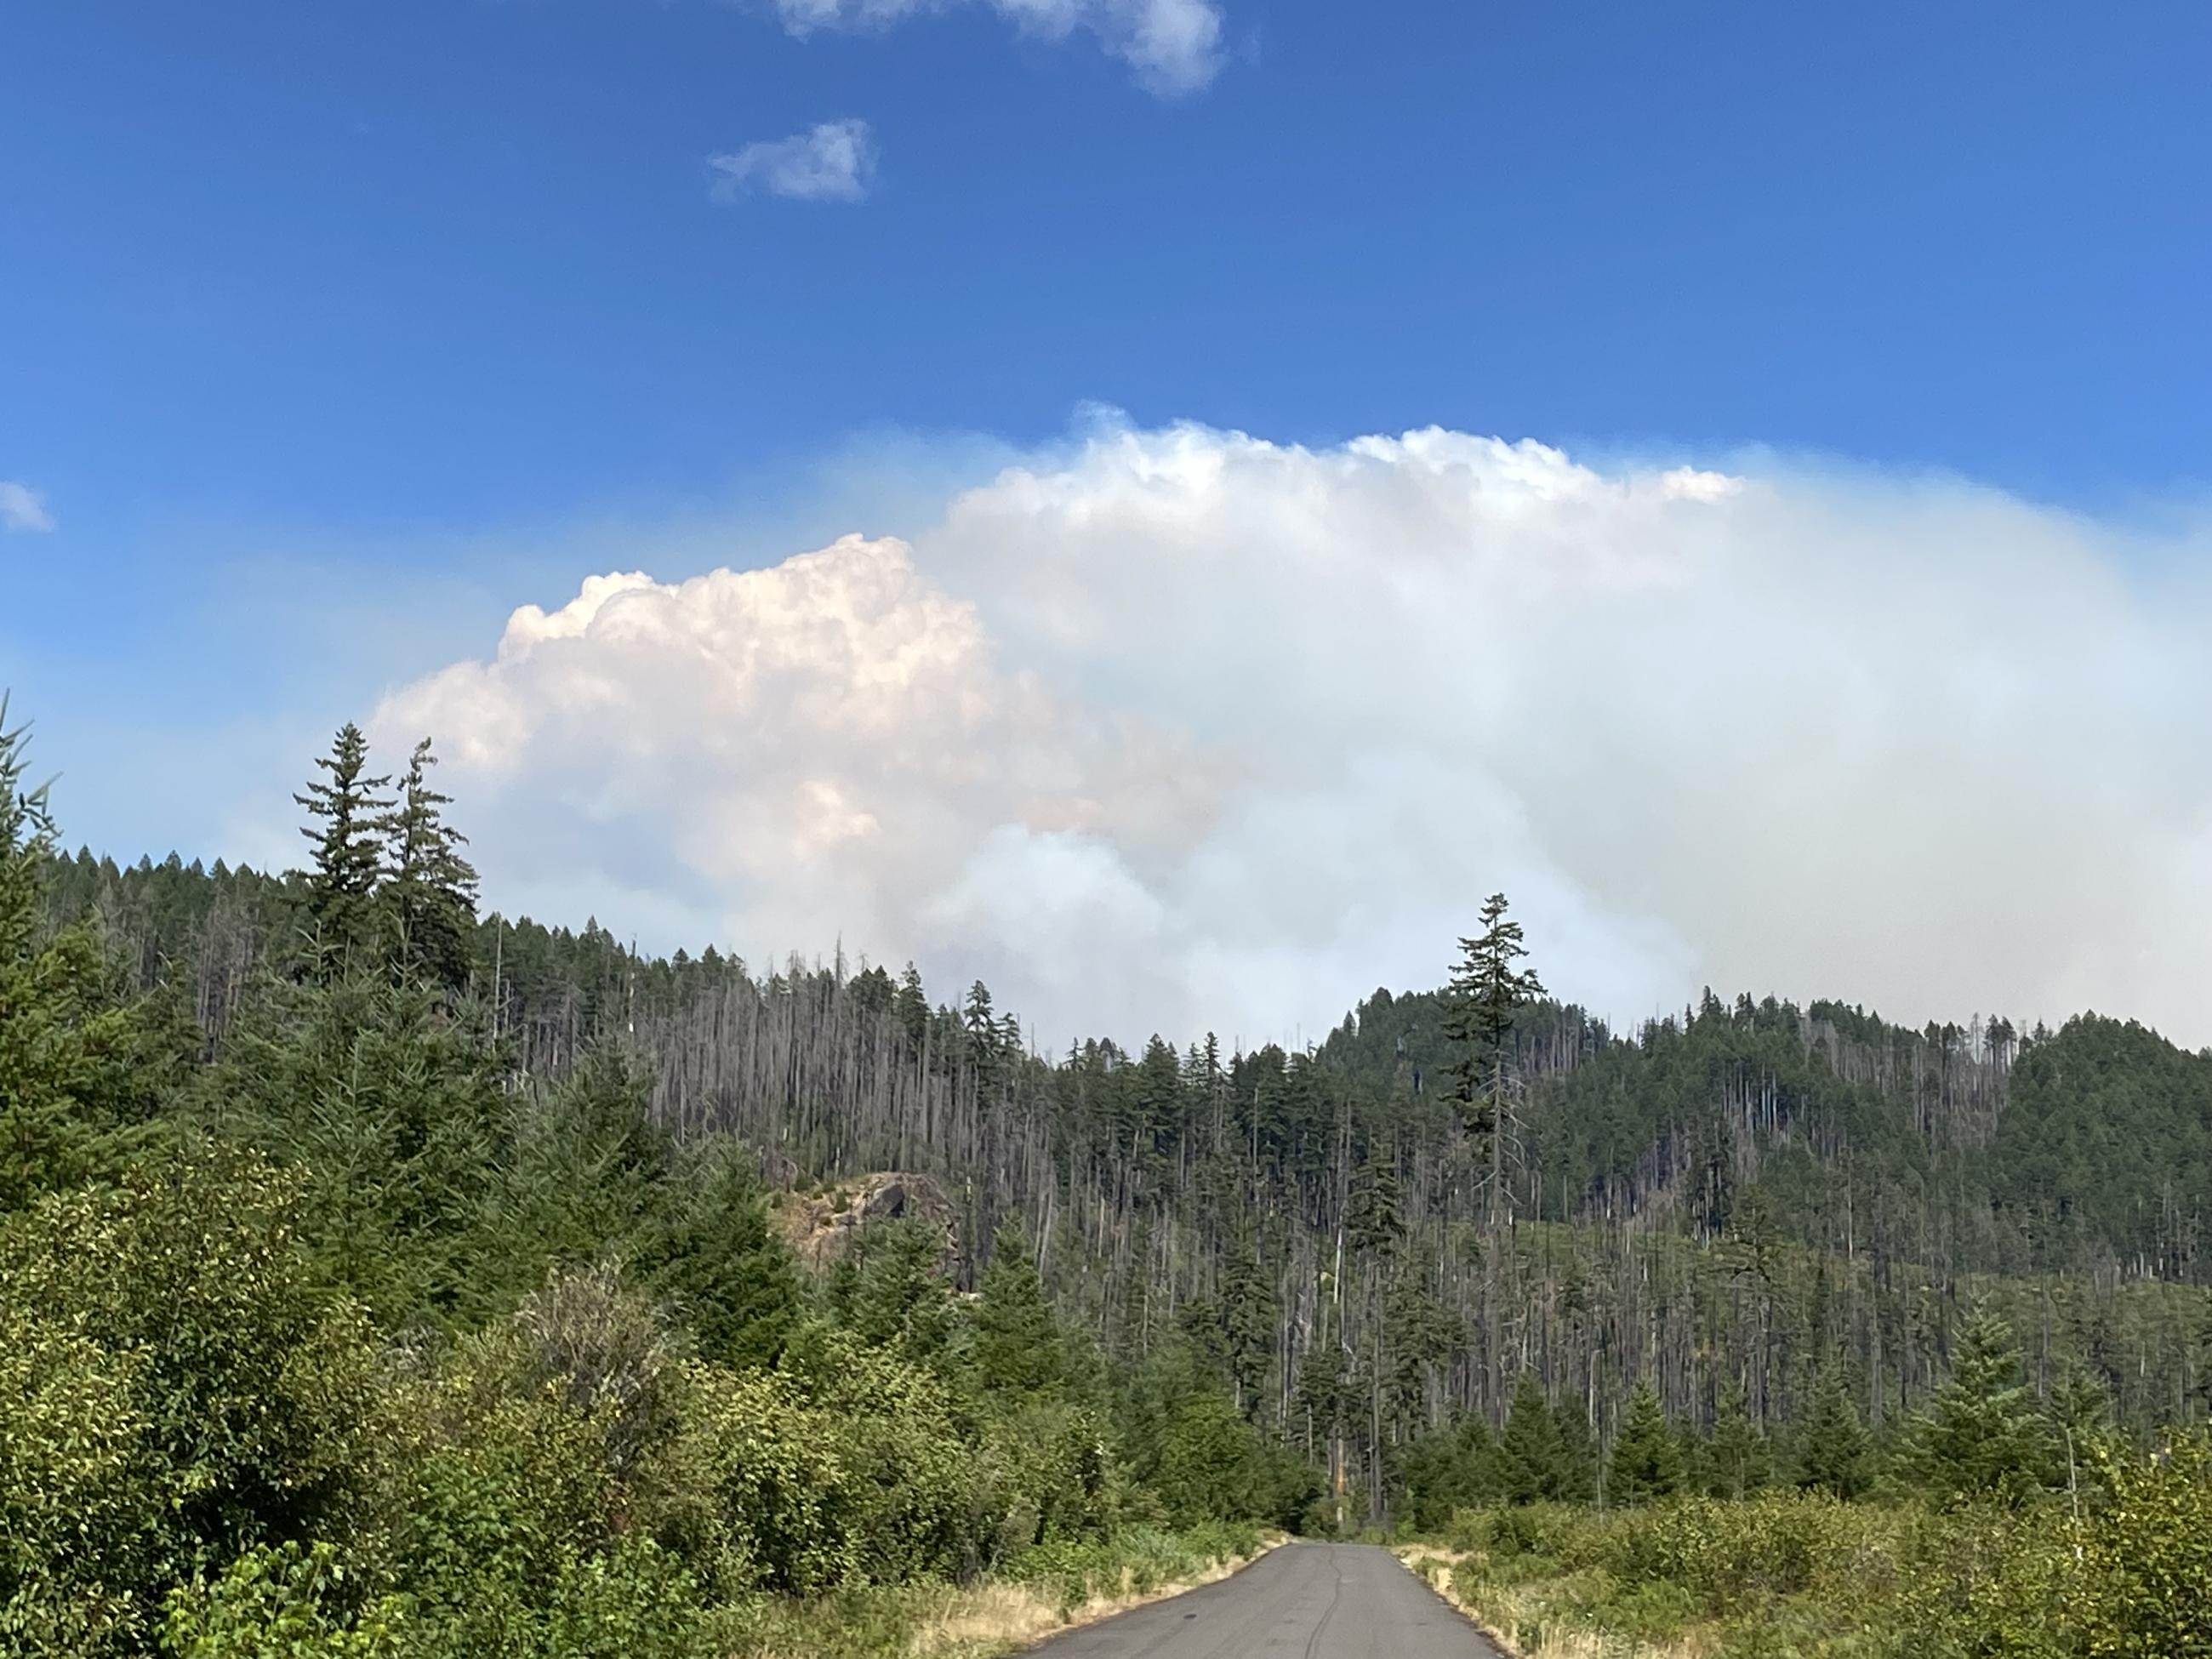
(2122, 1572)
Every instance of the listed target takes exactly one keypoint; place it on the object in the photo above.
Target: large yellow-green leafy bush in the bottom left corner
(176, 1390)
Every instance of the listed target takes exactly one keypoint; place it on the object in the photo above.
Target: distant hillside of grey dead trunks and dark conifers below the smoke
(1724, 1202)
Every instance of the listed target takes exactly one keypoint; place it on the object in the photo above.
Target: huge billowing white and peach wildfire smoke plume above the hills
(1187, 731)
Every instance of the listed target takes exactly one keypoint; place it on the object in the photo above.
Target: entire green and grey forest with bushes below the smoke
(428, 1280)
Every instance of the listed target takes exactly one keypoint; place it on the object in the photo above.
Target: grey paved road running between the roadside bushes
(1304, 1603)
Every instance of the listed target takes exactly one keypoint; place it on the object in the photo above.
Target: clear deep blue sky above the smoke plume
(333, 333)
